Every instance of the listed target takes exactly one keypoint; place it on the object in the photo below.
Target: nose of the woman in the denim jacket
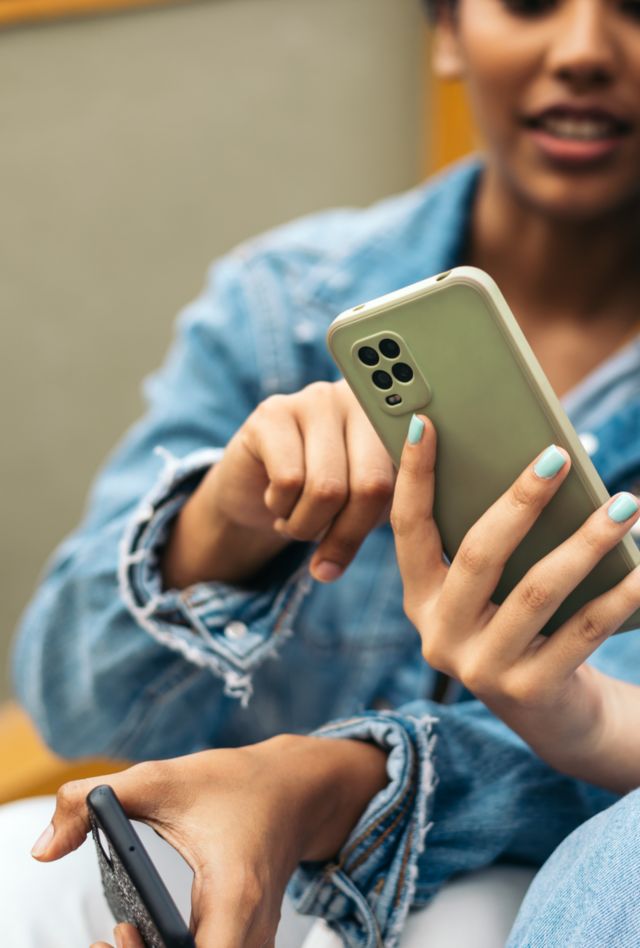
(584, 52)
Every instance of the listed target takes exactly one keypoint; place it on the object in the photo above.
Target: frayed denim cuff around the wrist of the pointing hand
(215, 625)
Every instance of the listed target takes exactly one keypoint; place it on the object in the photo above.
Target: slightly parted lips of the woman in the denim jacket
(578, 152)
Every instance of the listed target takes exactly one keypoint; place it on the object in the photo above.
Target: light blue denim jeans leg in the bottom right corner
(587, 894)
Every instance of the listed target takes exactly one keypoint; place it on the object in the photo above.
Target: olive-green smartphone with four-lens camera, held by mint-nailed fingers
(449, 347)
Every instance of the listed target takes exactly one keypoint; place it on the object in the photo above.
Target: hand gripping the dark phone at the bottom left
(241, 818)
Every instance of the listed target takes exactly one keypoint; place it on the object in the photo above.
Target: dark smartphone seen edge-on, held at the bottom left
(132, 886)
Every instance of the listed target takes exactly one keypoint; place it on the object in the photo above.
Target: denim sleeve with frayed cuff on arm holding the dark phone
(464, 792)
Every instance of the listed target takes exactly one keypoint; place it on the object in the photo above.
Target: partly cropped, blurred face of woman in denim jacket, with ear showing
(555, 89)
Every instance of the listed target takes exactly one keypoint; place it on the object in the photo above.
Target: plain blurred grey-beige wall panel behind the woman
(134, 149)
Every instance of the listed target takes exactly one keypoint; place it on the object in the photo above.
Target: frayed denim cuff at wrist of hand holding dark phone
(365, 895)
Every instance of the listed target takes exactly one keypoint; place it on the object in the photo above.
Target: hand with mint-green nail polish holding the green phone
(541, 687)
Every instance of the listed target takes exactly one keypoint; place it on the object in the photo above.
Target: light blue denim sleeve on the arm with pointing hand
(106, 660)
